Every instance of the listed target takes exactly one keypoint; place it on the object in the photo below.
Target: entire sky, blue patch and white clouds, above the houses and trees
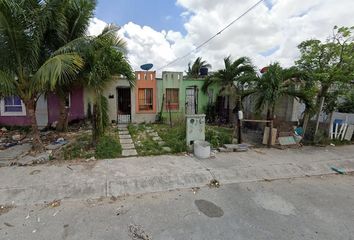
(159, 31)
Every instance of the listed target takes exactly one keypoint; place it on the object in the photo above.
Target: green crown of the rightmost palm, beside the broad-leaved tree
(275, 83)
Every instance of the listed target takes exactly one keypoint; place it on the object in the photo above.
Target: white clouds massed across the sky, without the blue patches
(279, 25)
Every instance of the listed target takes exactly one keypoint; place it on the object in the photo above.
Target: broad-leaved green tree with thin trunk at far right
(328, 64)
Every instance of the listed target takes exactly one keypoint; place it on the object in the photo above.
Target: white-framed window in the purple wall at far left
(12, 106)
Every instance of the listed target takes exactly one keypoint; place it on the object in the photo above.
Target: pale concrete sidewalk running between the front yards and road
(117, 177)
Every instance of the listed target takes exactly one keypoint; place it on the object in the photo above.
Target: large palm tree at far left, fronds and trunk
(27, 66)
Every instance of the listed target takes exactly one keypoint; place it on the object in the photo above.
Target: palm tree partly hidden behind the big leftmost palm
(77, 14)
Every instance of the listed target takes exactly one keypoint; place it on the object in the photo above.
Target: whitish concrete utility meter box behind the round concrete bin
(195, 127)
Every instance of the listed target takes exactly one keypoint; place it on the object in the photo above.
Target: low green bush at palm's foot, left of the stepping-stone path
(108, 147)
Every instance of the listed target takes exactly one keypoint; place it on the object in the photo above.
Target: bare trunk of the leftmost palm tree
(37, 144)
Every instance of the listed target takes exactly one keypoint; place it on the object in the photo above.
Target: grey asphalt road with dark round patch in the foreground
(305, 208)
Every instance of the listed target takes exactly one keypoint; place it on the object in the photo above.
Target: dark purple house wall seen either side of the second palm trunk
(76, 109)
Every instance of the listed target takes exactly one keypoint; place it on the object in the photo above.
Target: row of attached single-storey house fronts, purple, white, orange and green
(171, 95)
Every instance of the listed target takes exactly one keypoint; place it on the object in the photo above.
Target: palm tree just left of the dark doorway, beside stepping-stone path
(104, 57)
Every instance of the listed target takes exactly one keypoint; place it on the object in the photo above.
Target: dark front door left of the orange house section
(124, 105)
